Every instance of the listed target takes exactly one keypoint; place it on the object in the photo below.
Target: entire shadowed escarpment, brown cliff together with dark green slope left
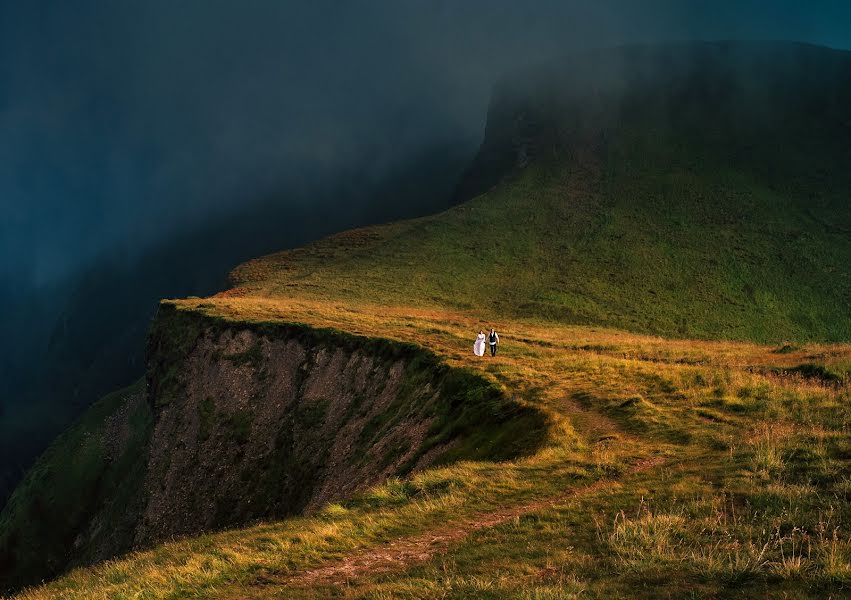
(242, 421)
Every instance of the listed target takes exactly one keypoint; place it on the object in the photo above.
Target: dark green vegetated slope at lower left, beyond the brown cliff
(80, 501)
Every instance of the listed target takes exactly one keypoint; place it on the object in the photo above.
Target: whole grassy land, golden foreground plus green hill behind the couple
(666, 261)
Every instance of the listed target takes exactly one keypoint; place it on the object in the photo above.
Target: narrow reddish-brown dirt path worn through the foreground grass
(402, 553)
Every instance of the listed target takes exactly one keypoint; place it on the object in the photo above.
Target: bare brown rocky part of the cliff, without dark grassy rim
(270, 426)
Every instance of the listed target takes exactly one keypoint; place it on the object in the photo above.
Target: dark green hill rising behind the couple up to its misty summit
(698, 217)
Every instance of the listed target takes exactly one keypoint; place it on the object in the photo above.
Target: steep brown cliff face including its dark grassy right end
(258, 421)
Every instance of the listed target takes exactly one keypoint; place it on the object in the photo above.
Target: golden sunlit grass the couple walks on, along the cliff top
(755, 487)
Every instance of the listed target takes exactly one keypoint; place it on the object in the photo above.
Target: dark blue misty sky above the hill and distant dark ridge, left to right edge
(124, 122)
